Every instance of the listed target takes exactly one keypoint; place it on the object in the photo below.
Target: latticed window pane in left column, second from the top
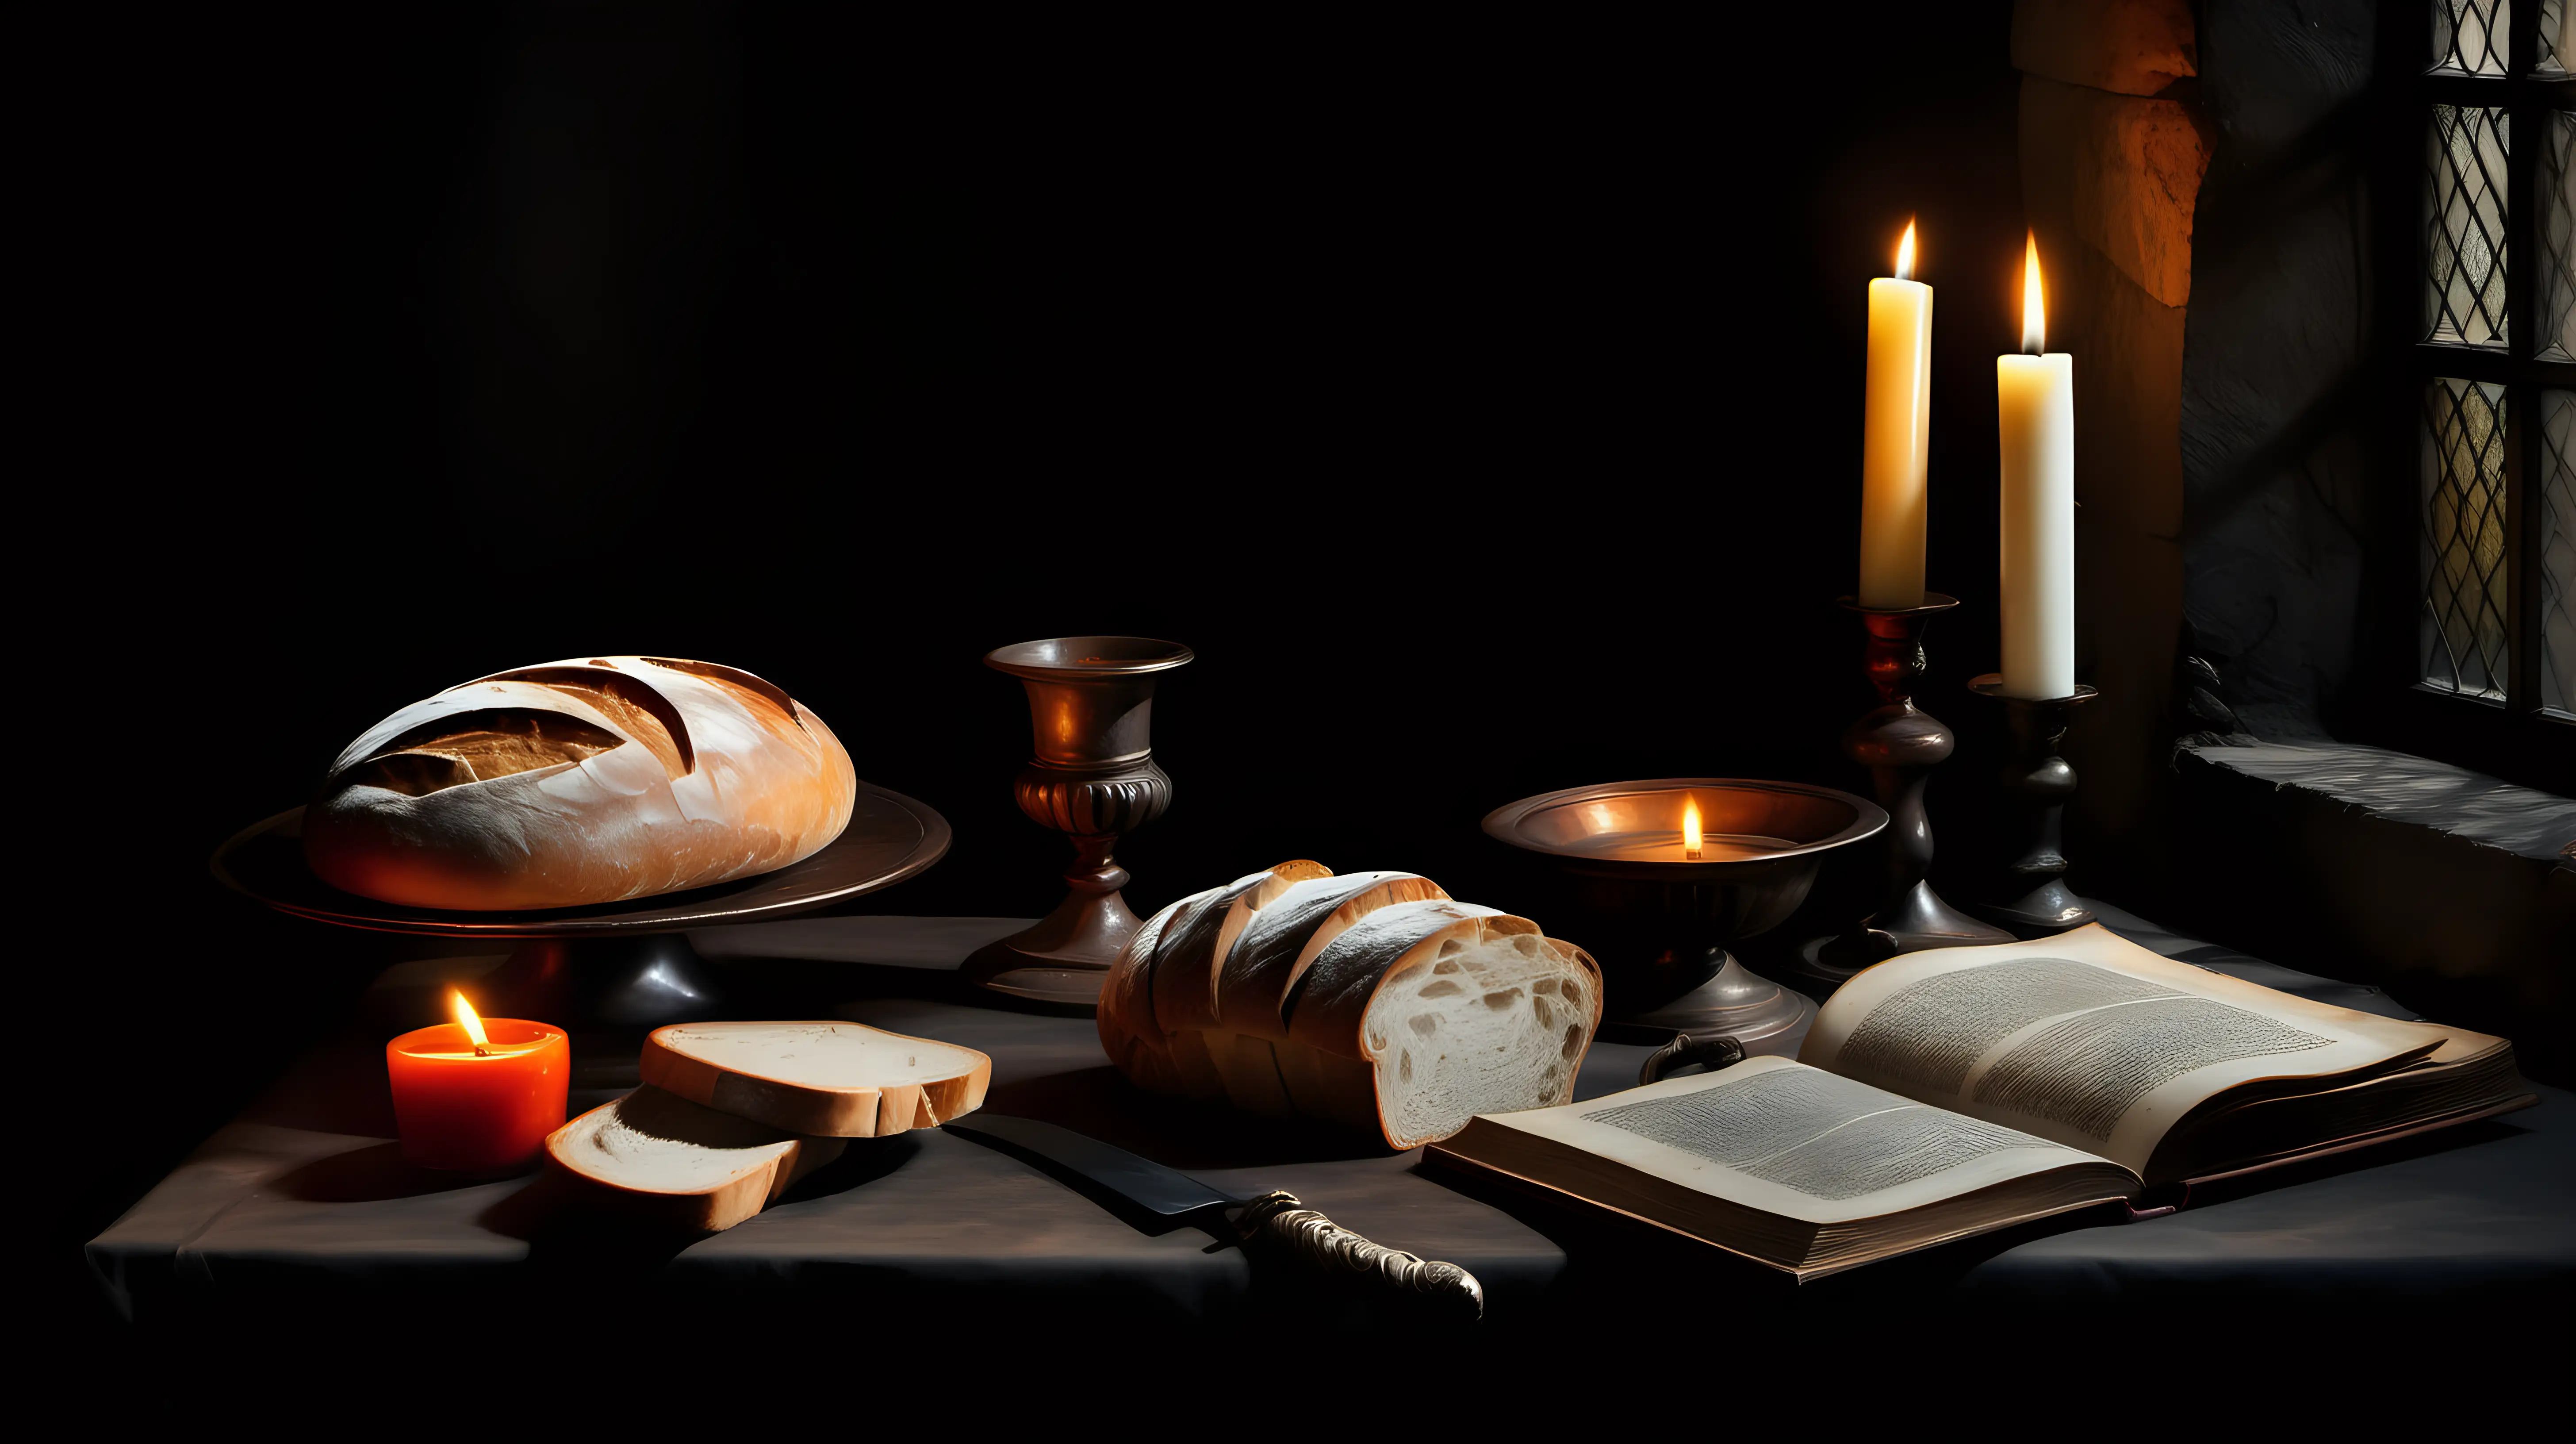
(2464, 220)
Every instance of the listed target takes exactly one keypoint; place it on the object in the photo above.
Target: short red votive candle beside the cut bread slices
(478, 1107)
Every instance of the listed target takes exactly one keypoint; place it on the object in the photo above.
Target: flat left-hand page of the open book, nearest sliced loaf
(1794, 1141)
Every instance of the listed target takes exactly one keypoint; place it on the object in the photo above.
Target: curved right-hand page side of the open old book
(2085, 1040)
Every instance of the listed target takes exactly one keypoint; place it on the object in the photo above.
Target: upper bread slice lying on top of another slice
(818, 1079)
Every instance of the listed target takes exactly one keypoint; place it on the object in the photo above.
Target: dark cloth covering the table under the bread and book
(303, 1216)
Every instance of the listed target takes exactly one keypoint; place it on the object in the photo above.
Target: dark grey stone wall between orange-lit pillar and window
(2278, 388)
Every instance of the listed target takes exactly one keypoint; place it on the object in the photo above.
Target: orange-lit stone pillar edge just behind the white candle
(2114, 153)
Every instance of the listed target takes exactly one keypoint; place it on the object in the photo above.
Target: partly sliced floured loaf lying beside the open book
(1369, 1002)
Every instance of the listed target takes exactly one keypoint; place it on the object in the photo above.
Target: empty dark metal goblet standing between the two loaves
(1094, 777)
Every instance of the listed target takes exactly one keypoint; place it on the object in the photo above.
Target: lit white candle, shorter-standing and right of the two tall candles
(2036, 416)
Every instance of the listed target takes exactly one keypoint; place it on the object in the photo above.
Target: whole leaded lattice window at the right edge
(2497, 360)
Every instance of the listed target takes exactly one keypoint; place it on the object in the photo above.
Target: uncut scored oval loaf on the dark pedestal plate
(581, 783)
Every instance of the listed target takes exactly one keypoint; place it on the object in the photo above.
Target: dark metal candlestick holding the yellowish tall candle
(1900, 744)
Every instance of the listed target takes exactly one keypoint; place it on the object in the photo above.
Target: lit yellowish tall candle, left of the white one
(1897, 434)
